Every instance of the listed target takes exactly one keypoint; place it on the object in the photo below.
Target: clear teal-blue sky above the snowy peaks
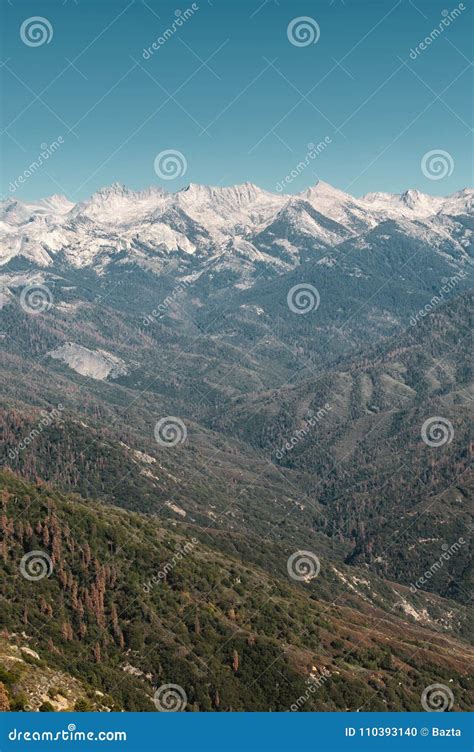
(236, 90)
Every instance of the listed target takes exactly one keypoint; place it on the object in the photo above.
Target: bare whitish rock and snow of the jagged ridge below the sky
(197, 219)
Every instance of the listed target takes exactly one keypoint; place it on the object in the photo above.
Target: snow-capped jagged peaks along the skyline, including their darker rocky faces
(153, 227)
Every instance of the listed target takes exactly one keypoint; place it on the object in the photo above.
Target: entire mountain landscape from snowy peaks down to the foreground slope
(303, 349)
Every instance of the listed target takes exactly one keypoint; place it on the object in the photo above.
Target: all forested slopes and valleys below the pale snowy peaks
(112, 508)
